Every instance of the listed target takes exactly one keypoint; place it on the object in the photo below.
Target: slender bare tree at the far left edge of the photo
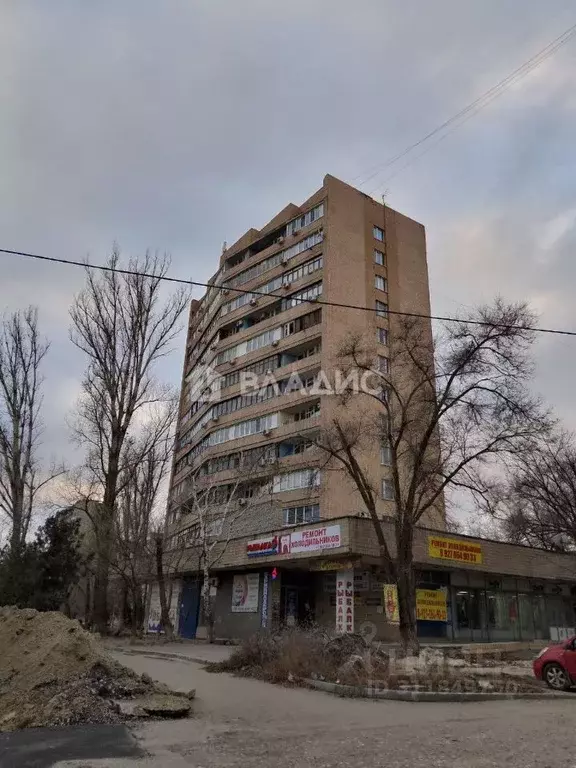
(22, 351)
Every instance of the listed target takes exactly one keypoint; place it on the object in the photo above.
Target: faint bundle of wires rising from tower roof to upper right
(480, 103)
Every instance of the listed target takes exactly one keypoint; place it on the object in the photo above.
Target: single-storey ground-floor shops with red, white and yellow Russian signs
(467, 590)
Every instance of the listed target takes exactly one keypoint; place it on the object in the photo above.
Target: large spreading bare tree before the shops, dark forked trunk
(444, 411)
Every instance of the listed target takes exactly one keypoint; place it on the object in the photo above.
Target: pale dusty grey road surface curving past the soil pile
(240, 722)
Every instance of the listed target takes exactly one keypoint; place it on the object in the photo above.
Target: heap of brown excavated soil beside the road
(53, 672)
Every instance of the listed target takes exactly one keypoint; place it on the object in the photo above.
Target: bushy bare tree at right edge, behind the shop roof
(536, 503)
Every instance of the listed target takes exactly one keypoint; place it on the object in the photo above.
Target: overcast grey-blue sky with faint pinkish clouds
(177, 125)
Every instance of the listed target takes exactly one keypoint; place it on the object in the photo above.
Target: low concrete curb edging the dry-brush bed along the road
(368, 693)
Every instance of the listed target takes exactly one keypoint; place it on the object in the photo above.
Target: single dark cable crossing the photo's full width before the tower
(313, 301)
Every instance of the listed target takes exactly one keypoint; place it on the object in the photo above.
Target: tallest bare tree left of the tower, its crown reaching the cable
(123, 325)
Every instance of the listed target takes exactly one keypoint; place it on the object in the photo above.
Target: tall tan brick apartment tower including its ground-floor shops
(296, 546)
